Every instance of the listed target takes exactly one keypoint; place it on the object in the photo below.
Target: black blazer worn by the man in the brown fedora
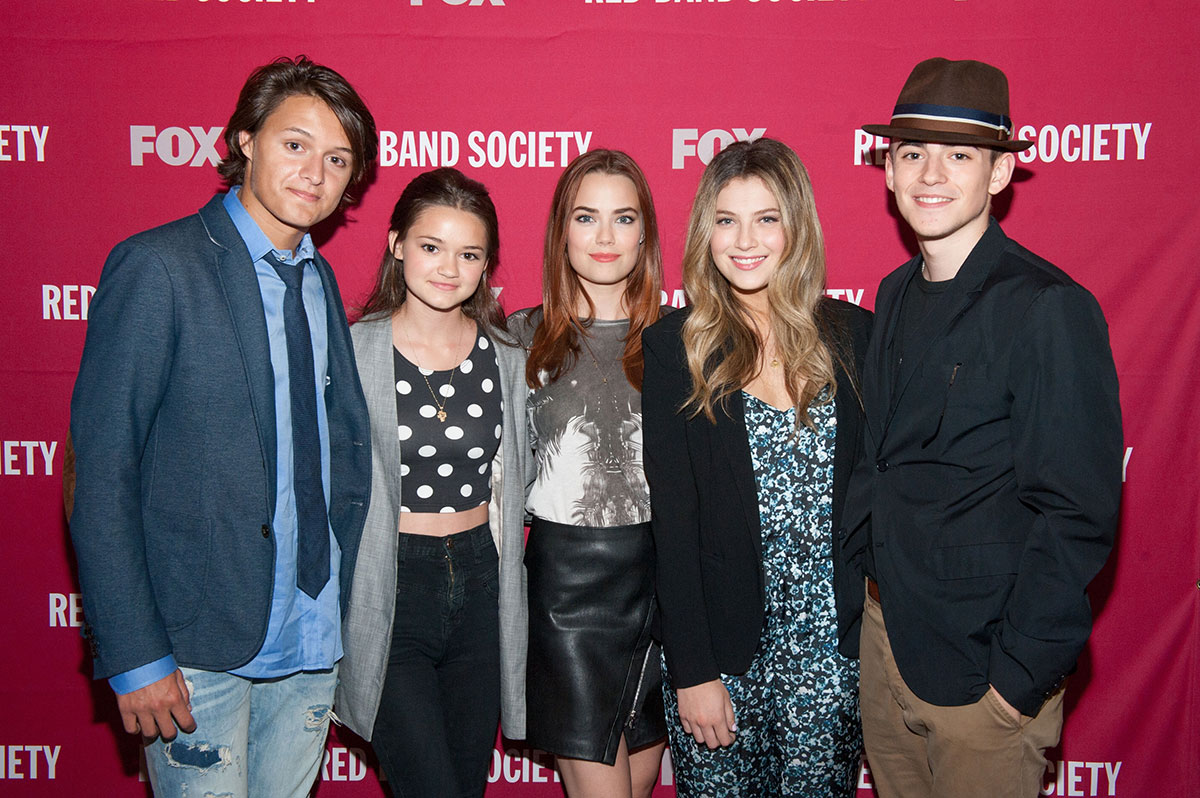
(993, 477)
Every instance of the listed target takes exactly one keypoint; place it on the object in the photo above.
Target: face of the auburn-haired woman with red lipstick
(604, 232)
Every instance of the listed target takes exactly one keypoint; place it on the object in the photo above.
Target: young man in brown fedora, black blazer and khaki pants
(989, 491)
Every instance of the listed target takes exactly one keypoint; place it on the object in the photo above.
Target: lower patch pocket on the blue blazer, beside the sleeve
(178, 554)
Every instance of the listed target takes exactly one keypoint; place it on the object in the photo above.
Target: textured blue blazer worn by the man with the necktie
(173, 424)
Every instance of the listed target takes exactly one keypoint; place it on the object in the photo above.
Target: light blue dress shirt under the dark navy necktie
(303, 634)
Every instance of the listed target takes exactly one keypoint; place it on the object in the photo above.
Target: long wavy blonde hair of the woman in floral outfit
(719, 337)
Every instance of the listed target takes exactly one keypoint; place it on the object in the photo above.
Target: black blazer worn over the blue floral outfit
(705, 509)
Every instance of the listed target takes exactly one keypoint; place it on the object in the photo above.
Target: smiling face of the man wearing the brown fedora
(945, 191)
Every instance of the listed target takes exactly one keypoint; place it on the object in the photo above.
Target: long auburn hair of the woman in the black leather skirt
(556, 344)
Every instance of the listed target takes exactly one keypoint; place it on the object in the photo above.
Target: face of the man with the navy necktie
(299, 164)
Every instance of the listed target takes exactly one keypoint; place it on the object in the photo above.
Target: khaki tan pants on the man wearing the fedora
(920, 751)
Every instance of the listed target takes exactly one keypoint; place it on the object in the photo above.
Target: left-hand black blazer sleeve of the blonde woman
(675, 515)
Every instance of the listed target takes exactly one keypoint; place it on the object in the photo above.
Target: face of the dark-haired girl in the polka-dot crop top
(445, 255)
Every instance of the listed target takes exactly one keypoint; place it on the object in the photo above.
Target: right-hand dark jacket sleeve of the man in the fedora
(1067, 452)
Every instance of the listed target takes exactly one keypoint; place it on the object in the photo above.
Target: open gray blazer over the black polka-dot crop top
(367, 632)
